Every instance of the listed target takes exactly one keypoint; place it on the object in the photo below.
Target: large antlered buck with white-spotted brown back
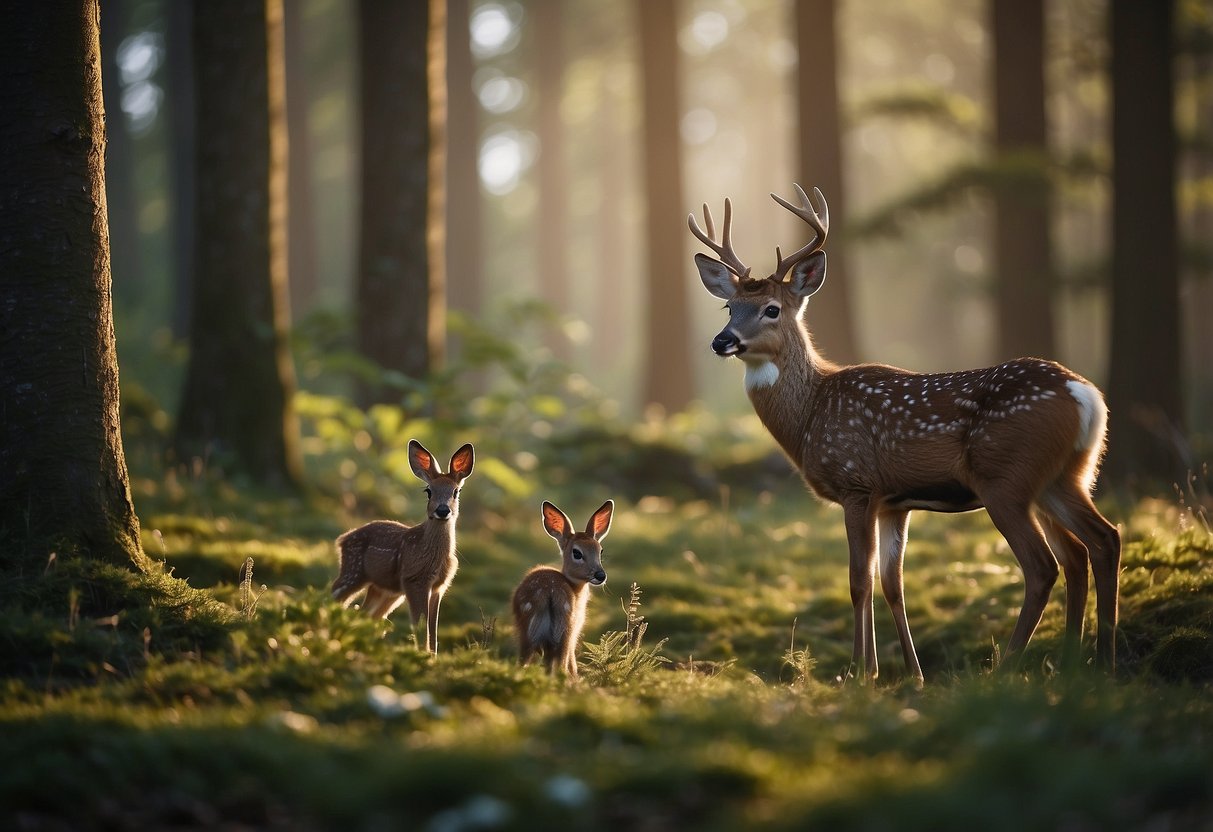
(1023, 440)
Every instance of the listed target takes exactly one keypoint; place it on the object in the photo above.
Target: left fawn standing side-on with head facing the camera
(395, 562)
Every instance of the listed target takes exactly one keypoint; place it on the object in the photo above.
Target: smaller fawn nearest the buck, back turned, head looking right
(550, 605)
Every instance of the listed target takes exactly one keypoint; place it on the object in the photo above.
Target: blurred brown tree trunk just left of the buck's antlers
(669, 380)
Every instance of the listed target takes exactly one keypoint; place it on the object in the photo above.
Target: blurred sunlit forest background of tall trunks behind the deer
(516, 206)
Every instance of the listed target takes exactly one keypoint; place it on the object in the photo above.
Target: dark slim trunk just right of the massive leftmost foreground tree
(121, 191)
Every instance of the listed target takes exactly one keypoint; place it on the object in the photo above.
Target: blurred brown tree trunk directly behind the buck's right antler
(822, 166)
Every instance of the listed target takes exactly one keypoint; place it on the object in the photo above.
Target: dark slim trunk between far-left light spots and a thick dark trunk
(183, 157)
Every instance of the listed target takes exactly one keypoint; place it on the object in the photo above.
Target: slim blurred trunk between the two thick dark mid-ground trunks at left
(301, 232)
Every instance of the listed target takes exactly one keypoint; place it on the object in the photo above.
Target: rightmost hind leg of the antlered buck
(1073, 509)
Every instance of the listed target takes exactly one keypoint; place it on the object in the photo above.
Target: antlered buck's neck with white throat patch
(783, 391)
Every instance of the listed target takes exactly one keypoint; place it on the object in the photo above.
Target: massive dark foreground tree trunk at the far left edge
(65, 487)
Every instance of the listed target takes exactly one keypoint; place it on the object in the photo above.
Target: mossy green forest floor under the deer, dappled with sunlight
(260, 703)
